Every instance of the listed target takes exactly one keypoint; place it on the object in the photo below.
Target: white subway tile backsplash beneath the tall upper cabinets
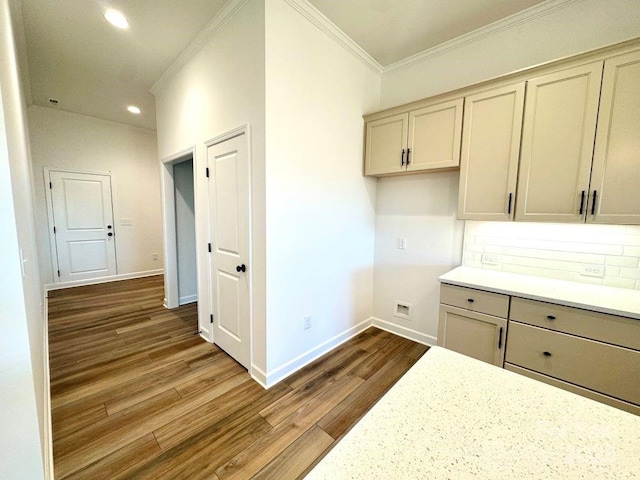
(597, 254)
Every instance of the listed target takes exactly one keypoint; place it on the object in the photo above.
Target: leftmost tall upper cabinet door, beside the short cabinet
(490, 153)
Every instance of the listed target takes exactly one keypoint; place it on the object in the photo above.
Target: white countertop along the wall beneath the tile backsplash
(616, 301)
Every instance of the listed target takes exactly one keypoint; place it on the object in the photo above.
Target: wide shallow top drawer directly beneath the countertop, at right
(613, 329)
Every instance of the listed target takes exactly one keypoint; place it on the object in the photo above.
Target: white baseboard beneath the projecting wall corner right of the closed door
(267, 380)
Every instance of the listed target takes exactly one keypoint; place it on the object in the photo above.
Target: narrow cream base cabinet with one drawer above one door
(469, 324)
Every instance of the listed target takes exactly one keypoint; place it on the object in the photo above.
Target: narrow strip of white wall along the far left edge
(22, 394)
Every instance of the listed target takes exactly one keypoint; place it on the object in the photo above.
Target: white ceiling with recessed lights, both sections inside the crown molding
(92, 68)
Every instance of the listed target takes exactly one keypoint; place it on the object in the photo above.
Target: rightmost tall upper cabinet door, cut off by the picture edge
(616, 161)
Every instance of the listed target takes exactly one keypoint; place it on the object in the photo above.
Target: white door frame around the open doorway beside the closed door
(171, 293)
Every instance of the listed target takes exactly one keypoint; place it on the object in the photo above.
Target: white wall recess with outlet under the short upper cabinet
(421, 209)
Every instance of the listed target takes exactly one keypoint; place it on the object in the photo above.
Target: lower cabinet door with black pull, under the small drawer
(473, 334)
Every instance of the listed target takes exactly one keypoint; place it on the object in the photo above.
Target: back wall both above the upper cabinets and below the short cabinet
(575, 28)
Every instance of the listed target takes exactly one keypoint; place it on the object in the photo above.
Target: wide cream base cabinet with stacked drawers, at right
(589, 353)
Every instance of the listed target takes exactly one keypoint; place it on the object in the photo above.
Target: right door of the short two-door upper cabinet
(434, 136)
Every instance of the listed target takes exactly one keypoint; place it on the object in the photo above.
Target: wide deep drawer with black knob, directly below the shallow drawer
(598, 366)
